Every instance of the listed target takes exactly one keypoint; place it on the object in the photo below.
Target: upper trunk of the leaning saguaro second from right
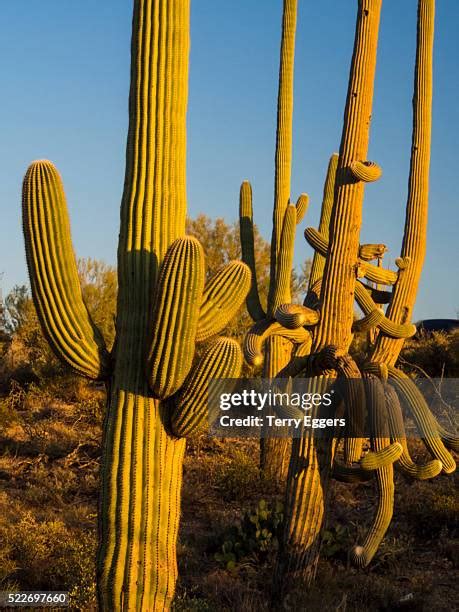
(337, 309)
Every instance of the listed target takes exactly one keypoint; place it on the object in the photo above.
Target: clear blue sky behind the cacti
(65, 67)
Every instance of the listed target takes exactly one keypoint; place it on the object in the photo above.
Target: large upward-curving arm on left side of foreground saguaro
(53, 273)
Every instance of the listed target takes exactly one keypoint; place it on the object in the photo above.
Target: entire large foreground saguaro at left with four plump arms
(156, 394)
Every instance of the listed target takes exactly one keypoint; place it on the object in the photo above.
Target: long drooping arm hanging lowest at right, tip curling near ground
(362, 554)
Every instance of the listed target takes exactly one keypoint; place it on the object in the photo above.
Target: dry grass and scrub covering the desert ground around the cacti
(49, 485)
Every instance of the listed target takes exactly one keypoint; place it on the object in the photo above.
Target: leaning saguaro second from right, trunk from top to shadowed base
(312, 459)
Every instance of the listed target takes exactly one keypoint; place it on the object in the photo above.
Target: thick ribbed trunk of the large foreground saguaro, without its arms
(142, 465)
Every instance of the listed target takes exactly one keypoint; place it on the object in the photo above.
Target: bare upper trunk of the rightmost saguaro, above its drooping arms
(401, 305)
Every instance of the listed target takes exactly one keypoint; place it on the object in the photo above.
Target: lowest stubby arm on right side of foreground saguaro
(221, 359)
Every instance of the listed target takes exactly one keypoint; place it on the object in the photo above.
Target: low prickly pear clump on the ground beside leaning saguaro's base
(256, 536)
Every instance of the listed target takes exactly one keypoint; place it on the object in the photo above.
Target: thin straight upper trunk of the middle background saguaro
(283, 157)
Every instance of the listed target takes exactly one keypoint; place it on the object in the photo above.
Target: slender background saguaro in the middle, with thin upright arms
(276, 344)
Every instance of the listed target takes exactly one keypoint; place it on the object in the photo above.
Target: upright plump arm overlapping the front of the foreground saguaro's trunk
(175, 316)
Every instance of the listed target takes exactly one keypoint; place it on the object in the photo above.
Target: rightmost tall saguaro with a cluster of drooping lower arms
(387, 347)
